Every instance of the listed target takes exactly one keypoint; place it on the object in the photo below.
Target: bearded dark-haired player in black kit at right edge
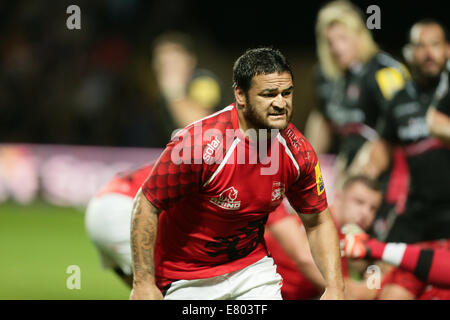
(426, 219)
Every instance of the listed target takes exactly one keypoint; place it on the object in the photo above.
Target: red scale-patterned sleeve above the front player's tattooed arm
(175, 175)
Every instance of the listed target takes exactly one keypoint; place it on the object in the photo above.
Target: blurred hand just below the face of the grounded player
(354, 244)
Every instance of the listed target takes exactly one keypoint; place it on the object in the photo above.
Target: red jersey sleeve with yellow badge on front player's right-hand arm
(307, 194)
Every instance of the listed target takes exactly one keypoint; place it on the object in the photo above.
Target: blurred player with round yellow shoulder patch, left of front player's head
(187, 93)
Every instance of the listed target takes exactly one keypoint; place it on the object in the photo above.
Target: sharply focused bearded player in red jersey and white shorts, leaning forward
(216, 183)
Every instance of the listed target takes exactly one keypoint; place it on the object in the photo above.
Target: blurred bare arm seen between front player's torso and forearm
(291, 236)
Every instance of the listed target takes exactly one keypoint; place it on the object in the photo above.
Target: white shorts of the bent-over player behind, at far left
(108, 223)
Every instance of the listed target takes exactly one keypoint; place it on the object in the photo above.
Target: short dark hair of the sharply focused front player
(258, 61)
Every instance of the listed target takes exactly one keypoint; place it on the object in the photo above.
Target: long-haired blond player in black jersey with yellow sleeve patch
(355, 82)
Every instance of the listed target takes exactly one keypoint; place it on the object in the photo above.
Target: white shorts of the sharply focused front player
(258, 281)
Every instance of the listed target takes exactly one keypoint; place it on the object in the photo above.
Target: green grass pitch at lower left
(37, 244)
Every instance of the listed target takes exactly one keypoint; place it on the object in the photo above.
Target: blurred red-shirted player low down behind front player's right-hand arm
(356, 203)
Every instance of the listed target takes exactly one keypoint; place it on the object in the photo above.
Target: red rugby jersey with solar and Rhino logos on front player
(216, 197)
